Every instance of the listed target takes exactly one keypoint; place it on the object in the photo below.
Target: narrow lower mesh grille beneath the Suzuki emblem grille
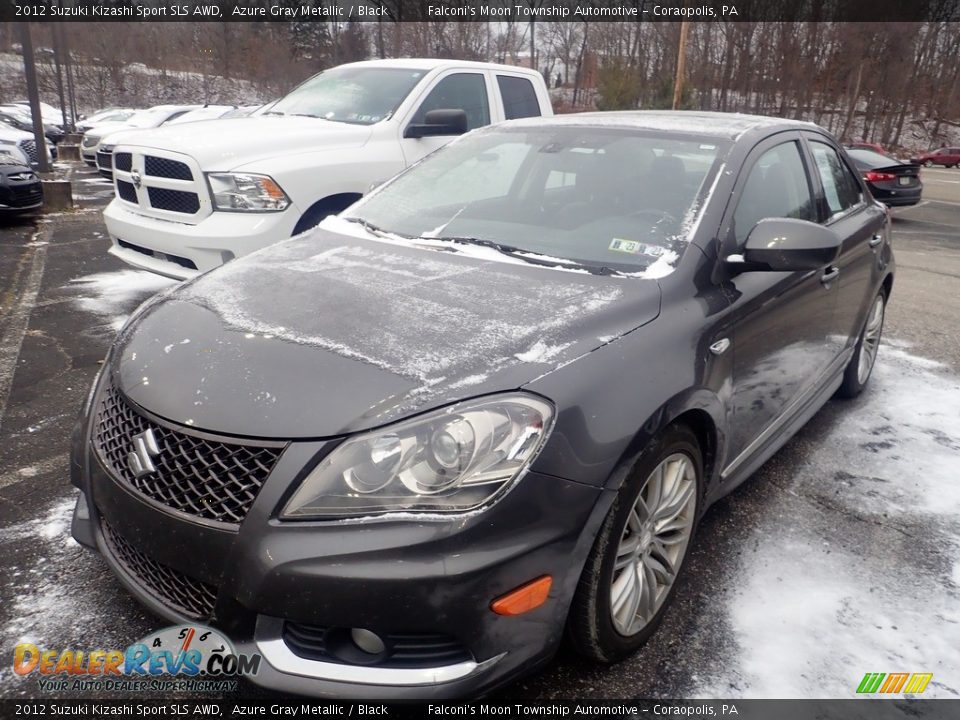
(180, 592)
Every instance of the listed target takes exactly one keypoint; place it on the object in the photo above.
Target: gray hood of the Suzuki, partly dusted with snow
(324, 335)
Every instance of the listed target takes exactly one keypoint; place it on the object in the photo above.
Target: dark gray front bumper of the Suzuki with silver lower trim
(389, 576)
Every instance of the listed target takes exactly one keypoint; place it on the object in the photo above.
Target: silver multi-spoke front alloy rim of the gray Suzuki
(653, 543)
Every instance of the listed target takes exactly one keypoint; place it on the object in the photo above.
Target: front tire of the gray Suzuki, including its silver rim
(629, 555)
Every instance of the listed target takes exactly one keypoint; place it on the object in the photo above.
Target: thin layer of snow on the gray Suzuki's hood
(375, 300)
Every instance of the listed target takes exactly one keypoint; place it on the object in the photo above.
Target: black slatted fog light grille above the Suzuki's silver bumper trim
(403, 650)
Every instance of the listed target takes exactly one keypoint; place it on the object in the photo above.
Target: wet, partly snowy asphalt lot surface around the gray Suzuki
(840, 556)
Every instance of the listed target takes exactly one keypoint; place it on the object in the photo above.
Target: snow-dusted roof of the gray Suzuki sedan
(715, 124)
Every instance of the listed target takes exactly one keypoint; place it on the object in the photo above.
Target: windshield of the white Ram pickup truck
(356, 95)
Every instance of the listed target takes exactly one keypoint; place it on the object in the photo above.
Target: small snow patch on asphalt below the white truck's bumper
(113, 295)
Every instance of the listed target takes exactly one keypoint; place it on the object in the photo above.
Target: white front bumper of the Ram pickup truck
(181, 251)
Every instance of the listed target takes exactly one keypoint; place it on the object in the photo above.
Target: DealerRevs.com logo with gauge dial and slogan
(181, 657)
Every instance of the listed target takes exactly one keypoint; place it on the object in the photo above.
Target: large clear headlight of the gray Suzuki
(447, 461)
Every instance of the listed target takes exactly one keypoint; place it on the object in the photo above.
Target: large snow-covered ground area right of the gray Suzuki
(812, 608)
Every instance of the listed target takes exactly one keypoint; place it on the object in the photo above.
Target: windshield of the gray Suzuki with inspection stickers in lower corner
(607, 199)
